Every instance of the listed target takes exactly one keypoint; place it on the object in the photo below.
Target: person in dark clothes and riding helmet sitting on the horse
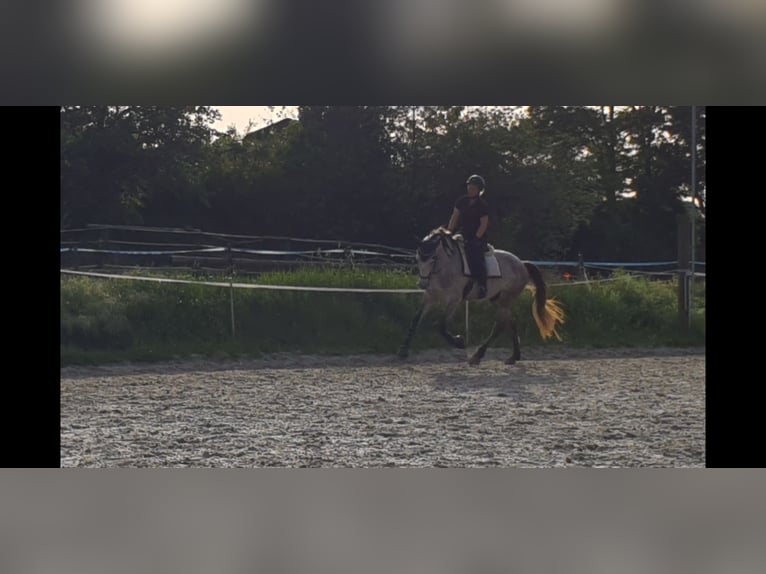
(472, 211)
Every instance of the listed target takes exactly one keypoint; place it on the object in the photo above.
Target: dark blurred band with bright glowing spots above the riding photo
(702, 51)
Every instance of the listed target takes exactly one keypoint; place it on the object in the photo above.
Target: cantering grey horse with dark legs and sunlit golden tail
(442, 277)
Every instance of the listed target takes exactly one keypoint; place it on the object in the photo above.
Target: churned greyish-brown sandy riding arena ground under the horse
(555, 408)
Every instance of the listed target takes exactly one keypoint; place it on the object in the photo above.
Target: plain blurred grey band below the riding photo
(432, 521)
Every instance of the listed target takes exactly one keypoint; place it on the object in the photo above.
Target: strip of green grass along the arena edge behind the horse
(107, 320)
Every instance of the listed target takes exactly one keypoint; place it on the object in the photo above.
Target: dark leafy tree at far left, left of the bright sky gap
(125, 164)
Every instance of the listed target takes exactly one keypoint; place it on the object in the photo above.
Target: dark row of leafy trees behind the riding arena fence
(608, 182)
